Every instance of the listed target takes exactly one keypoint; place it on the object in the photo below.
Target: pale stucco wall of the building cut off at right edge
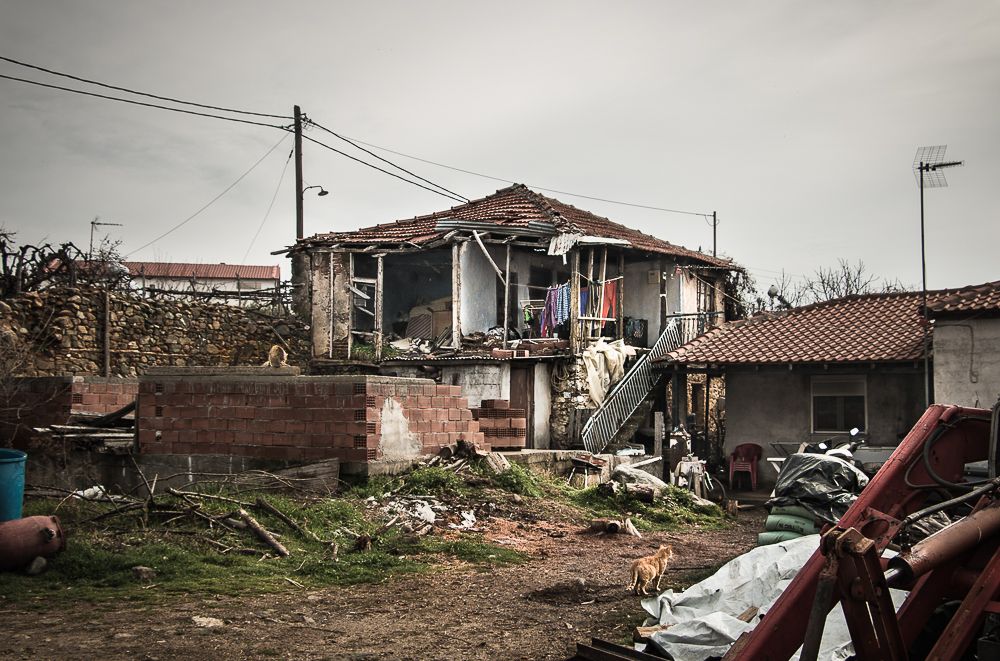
(967, 362)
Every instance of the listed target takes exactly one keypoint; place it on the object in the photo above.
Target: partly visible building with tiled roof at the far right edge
(966, 345)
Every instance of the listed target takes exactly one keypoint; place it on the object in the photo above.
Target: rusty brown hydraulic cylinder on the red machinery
(946, 544)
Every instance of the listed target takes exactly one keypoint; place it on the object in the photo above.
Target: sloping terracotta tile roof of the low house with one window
(864, 328)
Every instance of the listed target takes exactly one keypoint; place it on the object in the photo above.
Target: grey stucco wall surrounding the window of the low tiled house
(774, 405)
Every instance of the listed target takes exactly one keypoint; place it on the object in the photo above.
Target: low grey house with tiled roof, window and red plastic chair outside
(814, 372)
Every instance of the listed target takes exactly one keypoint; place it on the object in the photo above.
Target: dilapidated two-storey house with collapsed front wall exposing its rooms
(510, 297)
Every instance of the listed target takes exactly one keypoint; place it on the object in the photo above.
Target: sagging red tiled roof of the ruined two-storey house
(516, 206)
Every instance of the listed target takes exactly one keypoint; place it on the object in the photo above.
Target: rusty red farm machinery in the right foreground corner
(953, 576)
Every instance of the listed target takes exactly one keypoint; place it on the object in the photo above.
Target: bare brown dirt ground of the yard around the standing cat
(572, 589)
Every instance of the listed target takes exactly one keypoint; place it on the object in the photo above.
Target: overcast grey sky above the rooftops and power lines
(796, 121)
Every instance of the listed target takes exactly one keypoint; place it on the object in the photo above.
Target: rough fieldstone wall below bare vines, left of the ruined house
(64, 332)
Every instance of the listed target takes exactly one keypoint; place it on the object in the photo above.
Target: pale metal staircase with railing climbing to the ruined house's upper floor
(628, 394)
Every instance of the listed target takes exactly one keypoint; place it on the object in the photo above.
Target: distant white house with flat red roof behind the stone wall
(203, 278)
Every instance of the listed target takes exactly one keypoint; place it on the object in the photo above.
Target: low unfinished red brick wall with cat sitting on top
(294, 418)
